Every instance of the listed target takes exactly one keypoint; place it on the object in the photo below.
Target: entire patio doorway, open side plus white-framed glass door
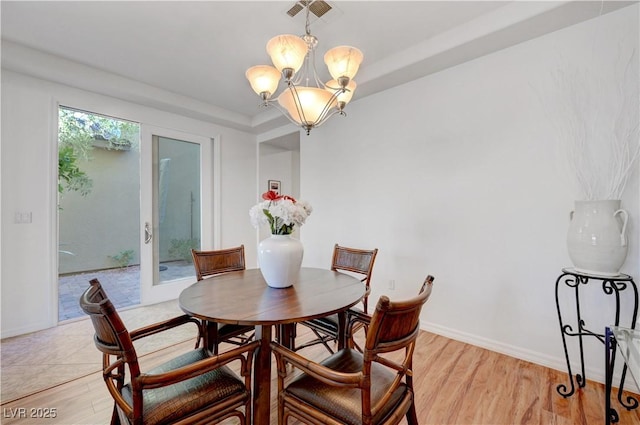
(133, 200)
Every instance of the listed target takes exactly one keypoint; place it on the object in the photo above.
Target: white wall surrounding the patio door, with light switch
(29, 251)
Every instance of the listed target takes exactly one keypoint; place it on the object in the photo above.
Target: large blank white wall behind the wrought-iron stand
(462, 175)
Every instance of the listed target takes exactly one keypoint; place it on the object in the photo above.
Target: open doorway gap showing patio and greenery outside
(98, 208)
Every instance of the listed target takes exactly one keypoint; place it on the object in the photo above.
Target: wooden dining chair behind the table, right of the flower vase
(357, 262)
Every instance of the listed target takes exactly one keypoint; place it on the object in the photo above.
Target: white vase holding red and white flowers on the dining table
(280, 258)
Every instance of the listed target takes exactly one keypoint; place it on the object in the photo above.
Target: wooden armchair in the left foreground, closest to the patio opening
(193, 388)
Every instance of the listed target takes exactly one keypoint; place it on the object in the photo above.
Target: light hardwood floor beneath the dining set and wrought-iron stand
(456, 383)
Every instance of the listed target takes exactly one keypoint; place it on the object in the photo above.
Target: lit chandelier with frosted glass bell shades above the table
(305, 101)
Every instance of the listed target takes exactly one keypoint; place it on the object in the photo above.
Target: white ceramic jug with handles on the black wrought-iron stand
(597, 240)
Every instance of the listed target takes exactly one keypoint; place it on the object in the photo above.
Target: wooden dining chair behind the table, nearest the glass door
(215, 262)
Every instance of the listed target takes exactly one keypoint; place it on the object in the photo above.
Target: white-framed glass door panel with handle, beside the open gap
(176, 209)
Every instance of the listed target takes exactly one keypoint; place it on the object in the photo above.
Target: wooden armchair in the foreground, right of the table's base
(353, 388)
